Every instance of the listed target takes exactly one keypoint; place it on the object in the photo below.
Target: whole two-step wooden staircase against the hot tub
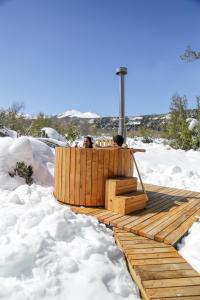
(122, 196)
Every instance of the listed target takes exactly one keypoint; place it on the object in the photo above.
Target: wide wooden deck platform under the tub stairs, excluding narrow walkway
(167, 217)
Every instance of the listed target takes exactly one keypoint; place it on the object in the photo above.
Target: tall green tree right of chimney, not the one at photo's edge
(177, 127)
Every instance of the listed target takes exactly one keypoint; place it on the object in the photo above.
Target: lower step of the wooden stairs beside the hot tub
(128, 203)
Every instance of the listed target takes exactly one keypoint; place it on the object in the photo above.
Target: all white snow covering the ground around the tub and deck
(48, 252)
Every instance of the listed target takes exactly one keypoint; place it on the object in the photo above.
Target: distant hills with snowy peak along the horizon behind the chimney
(91, 123)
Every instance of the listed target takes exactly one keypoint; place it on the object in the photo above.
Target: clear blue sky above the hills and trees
(56, 55)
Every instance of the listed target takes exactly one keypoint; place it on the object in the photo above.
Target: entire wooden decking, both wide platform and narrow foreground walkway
(147, 237)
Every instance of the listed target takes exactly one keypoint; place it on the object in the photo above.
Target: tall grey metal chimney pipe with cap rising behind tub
(122, 71)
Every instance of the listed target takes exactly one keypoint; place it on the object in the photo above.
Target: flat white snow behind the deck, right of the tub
(163, 165)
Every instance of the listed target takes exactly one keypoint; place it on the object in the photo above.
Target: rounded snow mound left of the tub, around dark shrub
(31, 152)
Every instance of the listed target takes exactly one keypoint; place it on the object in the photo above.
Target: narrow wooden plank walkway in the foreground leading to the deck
(159, 271)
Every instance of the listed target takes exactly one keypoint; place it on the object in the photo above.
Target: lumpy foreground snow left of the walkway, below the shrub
(48, 252)
